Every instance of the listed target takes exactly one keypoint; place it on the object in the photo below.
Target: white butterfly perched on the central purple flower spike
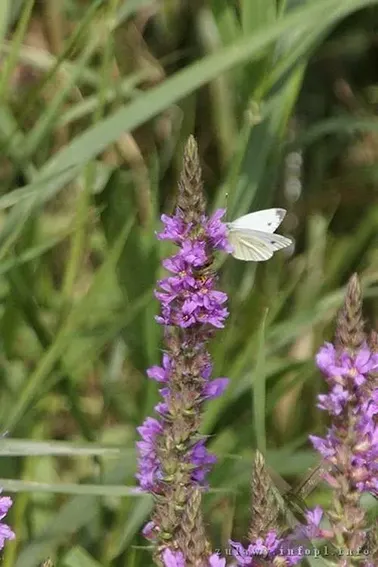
(252, 238)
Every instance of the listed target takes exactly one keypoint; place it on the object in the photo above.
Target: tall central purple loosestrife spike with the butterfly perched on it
(173, 459)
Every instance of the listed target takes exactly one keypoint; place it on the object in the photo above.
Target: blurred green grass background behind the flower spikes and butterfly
(97, 100)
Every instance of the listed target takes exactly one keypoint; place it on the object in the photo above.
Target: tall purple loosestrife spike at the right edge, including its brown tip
(350, 445)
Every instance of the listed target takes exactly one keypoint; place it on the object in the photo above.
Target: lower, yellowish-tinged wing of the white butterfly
(254, 245)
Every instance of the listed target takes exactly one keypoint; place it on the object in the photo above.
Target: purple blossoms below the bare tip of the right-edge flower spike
(351, 398)
